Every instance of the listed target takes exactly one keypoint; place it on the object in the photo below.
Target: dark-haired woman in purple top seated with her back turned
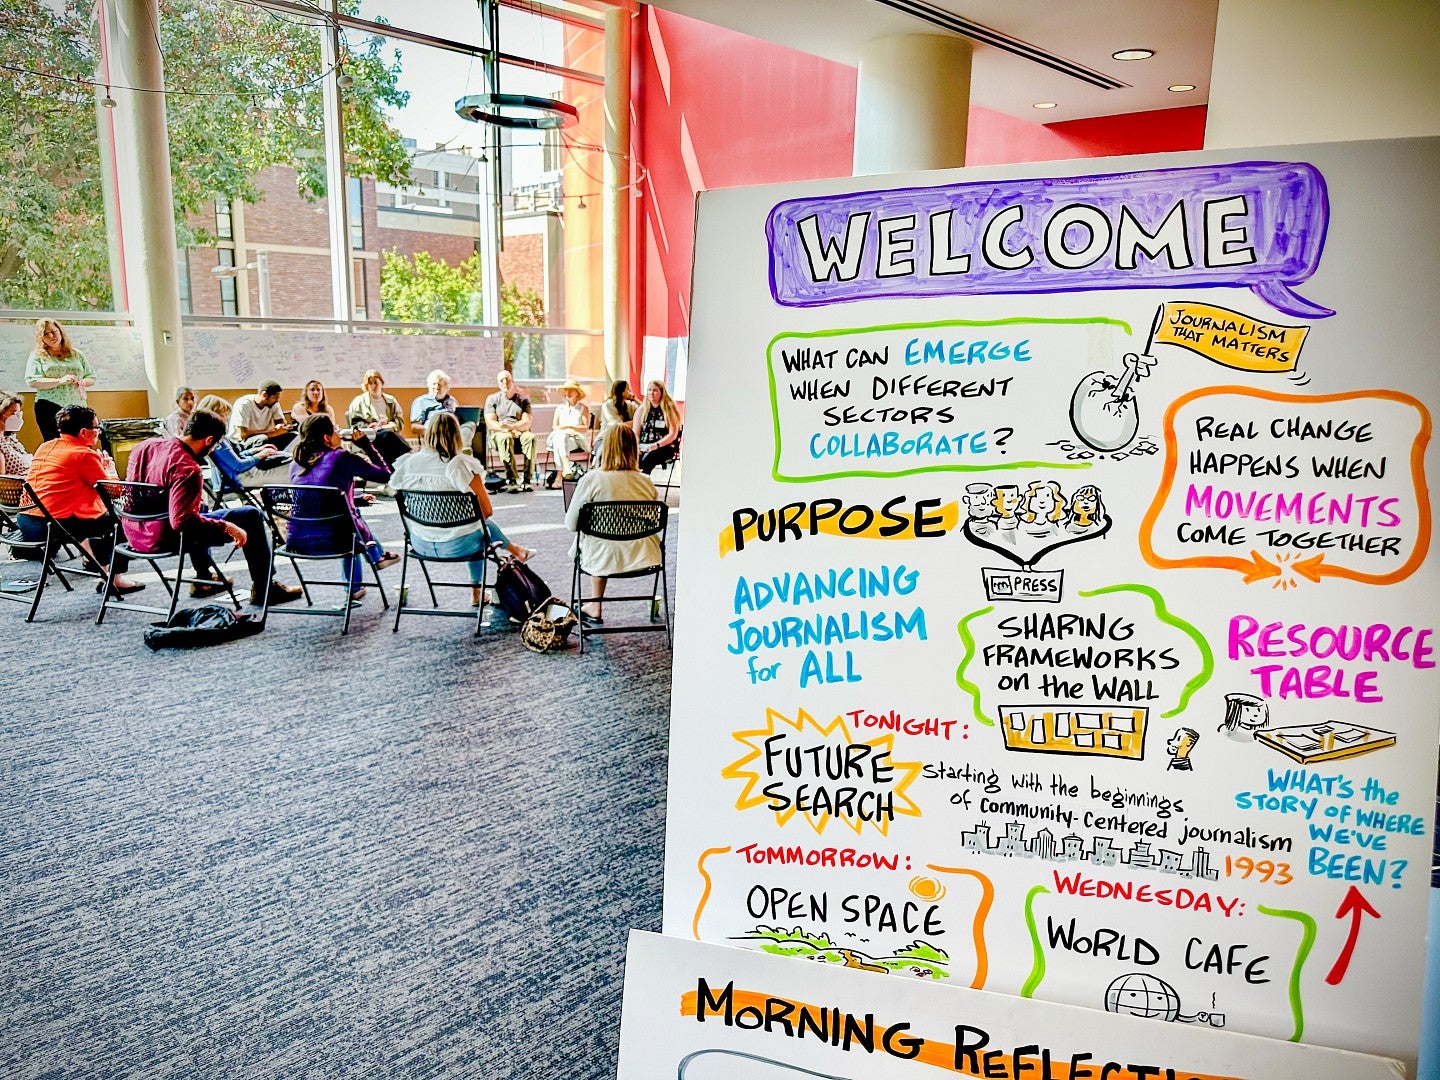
(320, 460)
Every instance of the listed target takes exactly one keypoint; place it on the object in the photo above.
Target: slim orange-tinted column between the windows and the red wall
(617, 191)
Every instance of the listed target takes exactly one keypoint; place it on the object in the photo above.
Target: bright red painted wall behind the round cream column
(715, 109)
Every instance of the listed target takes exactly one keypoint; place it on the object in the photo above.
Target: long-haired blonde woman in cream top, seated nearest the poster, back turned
(617, 479)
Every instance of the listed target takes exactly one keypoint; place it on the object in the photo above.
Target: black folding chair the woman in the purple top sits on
(320, 510)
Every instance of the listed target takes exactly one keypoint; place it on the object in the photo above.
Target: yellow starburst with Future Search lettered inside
(801, 768)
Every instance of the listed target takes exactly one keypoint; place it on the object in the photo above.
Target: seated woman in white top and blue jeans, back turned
(440, 466)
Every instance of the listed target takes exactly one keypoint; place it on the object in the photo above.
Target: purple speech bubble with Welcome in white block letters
(1258, 225)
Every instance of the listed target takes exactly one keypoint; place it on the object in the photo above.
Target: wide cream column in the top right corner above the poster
(1297, 71)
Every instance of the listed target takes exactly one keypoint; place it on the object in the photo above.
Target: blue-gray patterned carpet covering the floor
(306, 856)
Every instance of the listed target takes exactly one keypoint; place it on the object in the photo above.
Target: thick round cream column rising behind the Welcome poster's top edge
(912, 104)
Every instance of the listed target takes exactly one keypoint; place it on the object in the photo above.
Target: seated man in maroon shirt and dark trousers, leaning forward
(175, 466)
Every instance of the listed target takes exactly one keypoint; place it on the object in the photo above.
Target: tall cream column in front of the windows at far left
(146, 199)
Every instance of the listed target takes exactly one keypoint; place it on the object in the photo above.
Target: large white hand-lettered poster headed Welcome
(1058, 607)
